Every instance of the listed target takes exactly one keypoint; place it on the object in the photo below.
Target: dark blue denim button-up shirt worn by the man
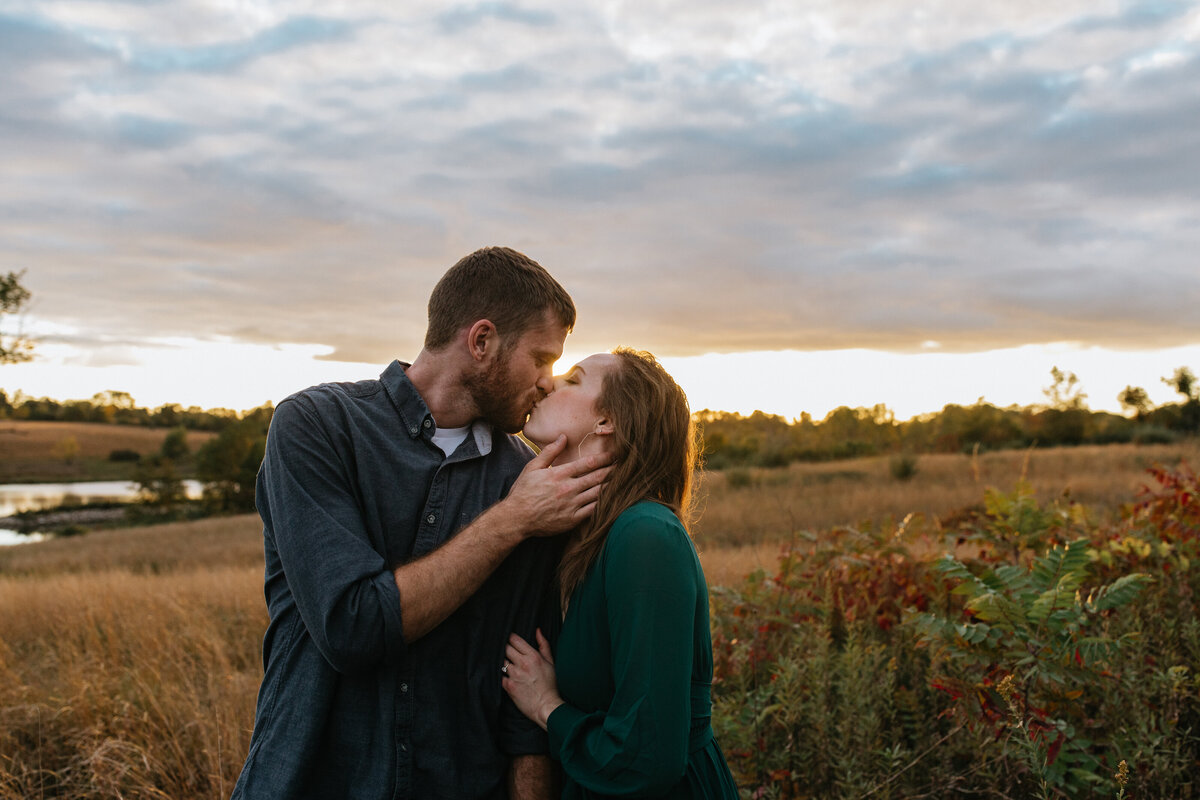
(351, 488)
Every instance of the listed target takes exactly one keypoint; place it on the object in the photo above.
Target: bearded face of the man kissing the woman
(520, 376)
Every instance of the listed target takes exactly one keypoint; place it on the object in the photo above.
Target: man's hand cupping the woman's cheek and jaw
(549, 500)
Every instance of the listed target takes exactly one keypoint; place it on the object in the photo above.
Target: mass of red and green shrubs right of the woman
(866, 667)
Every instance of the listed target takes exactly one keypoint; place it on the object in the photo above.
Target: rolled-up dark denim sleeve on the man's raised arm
(344, 591)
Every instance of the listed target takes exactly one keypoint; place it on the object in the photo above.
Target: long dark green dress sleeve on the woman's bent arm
(640, 744)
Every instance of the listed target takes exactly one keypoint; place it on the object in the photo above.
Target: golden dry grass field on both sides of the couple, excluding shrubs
(130, 659)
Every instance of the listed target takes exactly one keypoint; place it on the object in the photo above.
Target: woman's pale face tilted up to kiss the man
(572, 407)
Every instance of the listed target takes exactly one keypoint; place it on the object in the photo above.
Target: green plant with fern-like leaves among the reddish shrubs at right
(1031, 647)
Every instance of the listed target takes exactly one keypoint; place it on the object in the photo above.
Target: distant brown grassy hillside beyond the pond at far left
(75, 452)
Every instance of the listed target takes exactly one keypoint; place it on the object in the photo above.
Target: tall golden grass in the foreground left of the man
(123, 685)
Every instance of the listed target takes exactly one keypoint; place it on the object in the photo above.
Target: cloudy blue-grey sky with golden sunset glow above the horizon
(796, 206)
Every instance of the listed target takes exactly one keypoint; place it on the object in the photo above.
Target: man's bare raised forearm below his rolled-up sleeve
(434, 586)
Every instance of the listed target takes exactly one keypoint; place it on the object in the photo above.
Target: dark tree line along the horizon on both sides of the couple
(730, 440)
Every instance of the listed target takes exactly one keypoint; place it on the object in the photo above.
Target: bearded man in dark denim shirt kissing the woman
(395, 572)
